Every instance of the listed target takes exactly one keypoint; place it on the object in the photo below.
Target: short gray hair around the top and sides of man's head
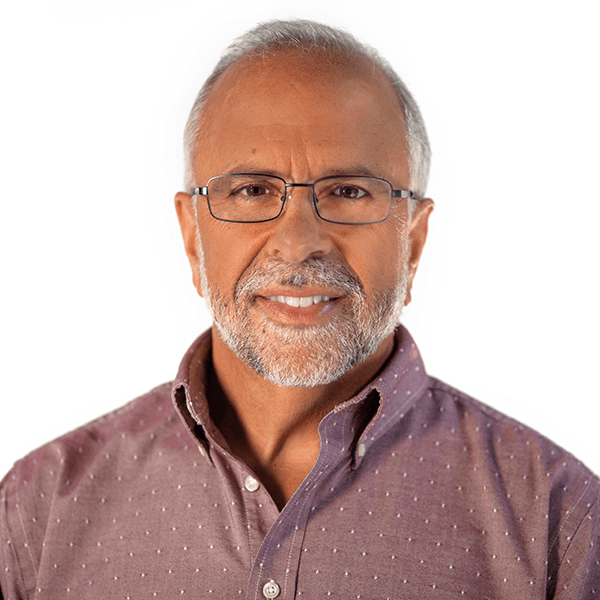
(309, 35)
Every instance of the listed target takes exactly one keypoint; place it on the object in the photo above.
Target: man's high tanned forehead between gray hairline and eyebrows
(318, 103)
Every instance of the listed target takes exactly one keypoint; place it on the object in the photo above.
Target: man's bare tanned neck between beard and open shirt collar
(274, 429)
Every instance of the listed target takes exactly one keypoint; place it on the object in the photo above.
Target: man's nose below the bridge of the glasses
(298, 233)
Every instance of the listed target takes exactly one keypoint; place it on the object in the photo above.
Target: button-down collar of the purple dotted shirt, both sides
(396, 389)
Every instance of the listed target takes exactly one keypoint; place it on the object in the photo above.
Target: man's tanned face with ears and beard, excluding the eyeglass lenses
(302, 118)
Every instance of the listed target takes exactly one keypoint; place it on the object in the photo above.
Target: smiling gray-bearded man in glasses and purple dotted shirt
(302, 450)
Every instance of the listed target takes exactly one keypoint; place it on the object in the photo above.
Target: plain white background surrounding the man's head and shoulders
(97, 300)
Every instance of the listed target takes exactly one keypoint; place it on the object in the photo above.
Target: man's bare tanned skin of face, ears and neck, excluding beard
(301, 118)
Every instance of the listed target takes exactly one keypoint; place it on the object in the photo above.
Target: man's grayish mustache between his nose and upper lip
(321, 271)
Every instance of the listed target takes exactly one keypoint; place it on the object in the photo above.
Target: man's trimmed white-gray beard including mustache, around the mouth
(308, 355)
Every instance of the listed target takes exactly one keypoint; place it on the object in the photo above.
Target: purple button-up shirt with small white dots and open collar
(438, 496)
